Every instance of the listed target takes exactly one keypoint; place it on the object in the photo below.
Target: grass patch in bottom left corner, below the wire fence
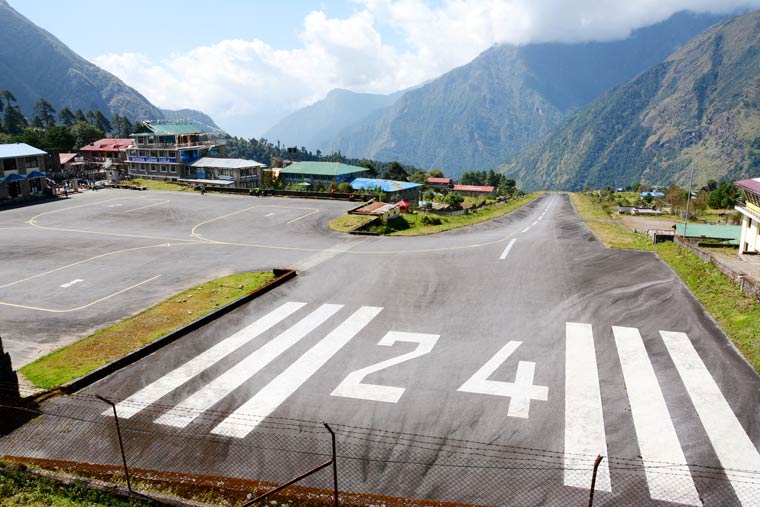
(19, 488)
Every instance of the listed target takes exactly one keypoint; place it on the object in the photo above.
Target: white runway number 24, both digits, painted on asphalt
(520, 392)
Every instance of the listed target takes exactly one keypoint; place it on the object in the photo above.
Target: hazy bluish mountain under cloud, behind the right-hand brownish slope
(485, 112)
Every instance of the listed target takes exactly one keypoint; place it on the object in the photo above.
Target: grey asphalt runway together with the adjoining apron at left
(487, 365)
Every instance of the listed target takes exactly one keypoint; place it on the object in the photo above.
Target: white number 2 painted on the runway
(353, 387)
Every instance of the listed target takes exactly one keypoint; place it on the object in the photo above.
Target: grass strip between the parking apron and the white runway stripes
(113, 342)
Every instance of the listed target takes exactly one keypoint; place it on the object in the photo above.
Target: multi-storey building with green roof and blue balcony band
(166, 151)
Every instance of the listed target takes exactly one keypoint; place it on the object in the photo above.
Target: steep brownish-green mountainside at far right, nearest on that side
(700, 110)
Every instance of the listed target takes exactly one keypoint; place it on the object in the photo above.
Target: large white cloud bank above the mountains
(247, 85)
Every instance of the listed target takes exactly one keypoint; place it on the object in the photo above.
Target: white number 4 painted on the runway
(521, 391)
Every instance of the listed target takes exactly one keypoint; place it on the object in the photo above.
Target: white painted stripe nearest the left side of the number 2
(249, 415)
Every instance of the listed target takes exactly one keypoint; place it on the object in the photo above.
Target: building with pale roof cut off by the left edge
(21, 170)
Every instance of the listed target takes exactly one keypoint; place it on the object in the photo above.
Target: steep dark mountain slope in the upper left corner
(35, 64)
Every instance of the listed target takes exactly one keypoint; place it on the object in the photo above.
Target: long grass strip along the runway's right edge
(737, 313)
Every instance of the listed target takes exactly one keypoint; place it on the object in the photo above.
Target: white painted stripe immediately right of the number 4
(584, 422)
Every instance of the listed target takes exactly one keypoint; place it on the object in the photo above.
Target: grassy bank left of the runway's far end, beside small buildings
(421, 224)
